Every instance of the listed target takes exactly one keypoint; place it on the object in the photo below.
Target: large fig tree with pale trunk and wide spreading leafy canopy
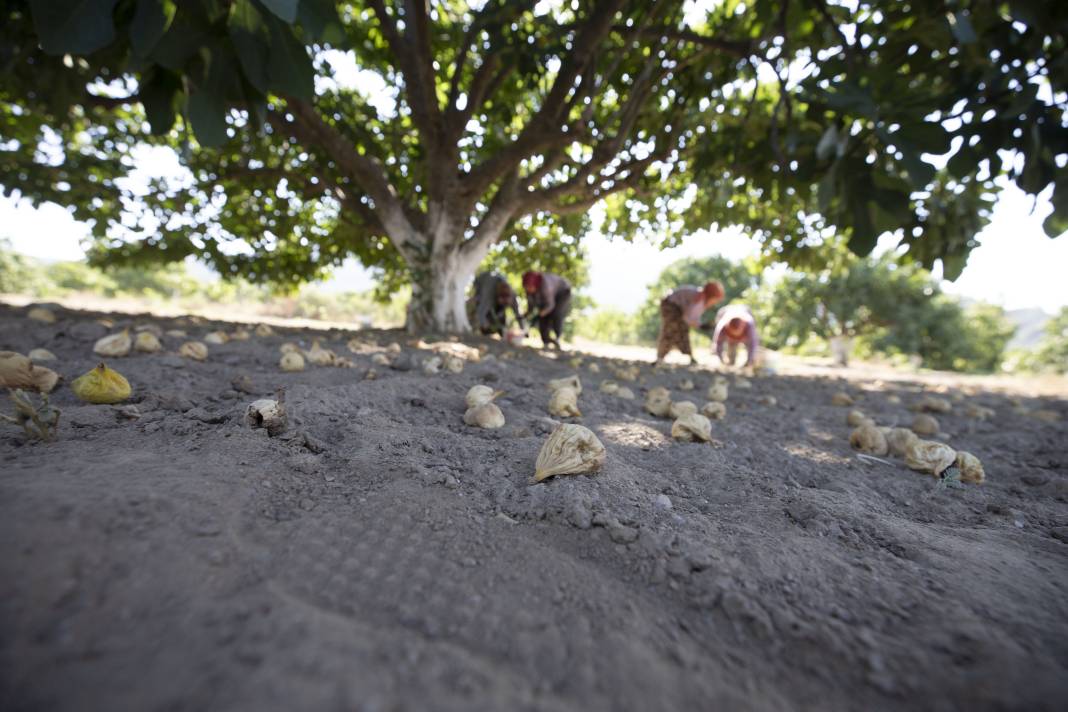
(795, 119)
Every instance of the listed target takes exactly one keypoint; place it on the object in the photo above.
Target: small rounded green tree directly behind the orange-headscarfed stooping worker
(737, 280)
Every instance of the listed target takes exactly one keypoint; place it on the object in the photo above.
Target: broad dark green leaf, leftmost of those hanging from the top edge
(74, 27)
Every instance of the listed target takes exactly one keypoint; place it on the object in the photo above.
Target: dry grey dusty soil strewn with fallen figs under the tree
(382, 556)
